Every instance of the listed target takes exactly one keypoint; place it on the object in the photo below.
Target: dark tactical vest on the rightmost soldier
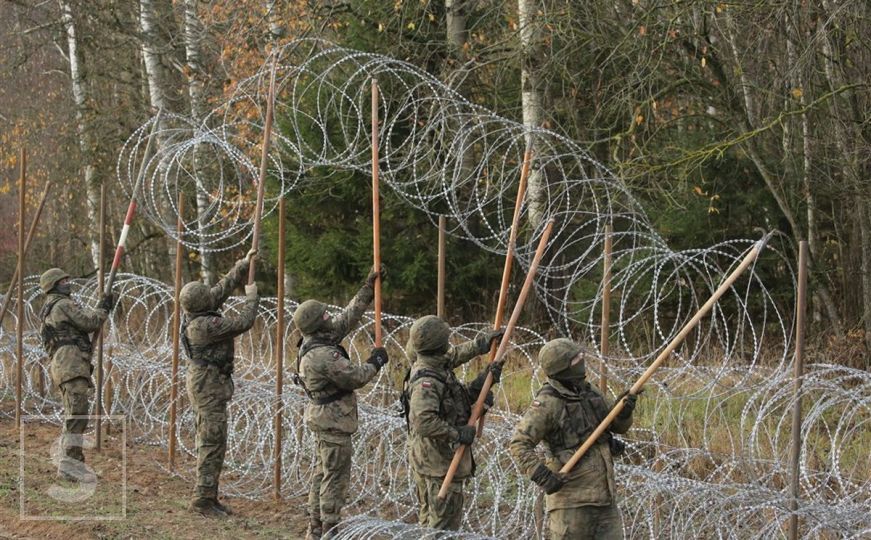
(580, 416)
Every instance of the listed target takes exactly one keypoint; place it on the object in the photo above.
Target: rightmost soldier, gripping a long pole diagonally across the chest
(583, 503)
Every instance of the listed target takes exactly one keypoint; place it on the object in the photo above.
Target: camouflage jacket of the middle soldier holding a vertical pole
(329, 375)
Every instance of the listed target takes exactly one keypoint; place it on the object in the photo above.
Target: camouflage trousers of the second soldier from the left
(209, 391)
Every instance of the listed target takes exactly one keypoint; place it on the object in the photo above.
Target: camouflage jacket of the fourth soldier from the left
(438, 403)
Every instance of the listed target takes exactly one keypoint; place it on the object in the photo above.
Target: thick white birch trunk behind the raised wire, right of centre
(531, 56)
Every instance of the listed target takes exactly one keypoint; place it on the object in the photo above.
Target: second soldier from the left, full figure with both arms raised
(207, 337)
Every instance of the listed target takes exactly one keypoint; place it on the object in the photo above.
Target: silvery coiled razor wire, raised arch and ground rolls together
(708, 455)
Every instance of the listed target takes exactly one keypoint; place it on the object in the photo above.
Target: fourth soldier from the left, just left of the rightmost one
(438, 408)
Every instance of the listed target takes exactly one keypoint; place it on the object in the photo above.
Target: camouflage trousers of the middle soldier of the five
(332, 479)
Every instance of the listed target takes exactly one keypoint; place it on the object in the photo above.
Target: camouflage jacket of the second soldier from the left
(209, 335)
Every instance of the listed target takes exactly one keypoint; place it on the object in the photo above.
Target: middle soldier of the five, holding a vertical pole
(329, 379)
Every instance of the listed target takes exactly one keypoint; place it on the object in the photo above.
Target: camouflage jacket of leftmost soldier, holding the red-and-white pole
(71, 325)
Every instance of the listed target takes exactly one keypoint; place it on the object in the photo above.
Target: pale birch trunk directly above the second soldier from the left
(193, 36)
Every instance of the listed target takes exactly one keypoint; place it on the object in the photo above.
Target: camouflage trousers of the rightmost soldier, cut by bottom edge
(586, 523)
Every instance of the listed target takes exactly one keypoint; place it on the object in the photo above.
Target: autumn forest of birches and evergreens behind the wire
(721, 118)
